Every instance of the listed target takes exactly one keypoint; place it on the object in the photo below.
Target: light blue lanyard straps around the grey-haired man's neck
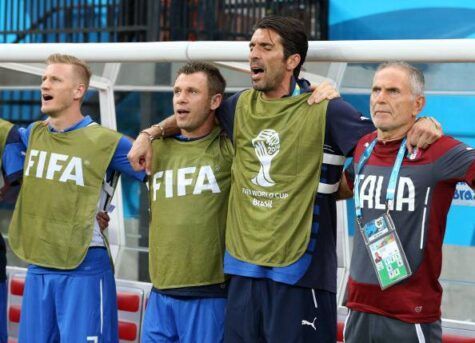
(392, 179)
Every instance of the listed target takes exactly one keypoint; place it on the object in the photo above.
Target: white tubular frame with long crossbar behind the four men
(326, 60)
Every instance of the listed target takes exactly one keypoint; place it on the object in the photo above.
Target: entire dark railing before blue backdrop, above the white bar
(41, 21)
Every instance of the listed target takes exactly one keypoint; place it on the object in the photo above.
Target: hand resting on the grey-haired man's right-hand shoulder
(423, 133)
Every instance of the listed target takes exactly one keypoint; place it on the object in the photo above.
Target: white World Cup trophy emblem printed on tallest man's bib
(266, 145)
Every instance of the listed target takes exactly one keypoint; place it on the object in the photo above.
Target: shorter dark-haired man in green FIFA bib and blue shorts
(190, 175)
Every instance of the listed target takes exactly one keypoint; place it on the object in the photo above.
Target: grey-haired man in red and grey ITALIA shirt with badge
(401, 200)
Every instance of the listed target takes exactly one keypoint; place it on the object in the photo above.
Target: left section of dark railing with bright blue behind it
(35, 21)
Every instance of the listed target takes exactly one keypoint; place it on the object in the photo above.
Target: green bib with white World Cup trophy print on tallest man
(279, 152)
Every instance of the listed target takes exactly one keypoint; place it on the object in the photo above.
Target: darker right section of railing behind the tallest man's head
(234, 19)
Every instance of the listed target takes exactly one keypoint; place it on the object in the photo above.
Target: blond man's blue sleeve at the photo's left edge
(13, 156)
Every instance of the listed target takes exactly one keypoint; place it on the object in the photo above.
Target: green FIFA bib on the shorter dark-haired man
(189, 190)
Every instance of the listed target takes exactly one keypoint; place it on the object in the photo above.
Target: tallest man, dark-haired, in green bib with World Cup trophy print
(281, 232)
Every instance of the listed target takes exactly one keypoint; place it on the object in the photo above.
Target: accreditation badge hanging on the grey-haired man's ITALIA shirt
(385, 250)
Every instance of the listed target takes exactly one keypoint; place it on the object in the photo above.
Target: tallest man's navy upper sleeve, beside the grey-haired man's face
(345, 125)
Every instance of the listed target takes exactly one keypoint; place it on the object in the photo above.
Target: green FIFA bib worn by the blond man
(53, 221)
